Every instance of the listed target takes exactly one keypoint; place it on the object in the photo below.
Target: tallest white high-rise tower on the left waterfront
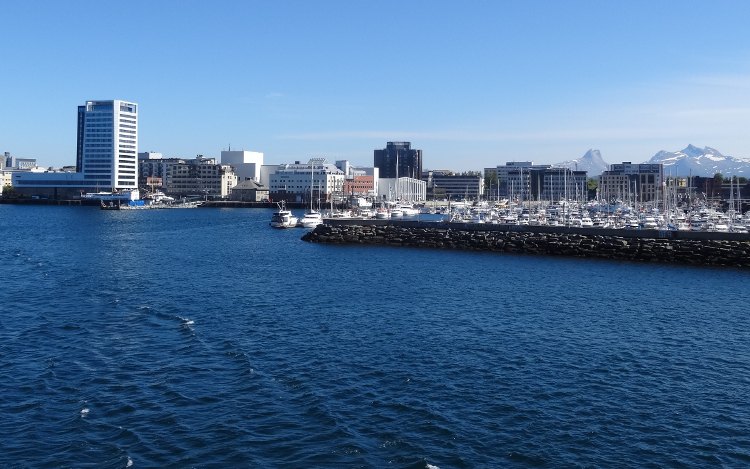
(107, 153)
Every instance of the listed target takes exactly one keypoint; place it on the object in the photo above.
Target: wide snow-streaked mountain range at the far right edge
(700, 162)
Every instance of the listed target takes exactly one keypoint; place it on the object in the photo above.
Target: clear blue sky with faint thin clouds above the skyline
(473, 84)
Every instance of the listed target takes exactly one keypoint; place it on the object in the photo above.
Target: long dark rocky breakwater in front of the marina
(712, 249)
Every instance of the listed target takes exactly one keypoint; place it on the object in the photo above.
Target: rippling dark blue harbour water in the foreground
(203, 338)
